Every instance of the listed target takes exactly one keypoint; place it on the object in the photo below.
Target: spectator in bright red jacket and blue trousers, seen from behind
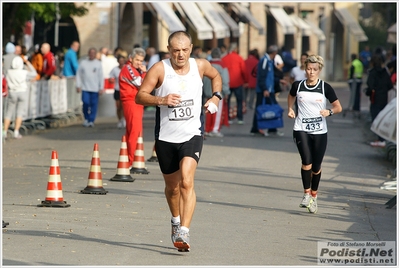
(235, 64)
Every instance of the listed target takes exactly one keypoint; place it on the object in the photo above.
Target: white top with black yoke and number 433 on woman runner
(310, 100)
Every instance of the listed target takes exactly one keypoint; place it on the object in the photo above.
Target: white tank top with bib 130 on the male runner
(180, 123)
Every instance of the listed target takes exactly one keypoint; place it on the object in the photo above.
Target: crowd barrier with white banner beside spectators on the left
(50, 103)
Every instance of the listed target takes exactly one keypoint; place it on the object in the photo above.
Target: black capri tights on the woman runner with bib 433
(311, 148)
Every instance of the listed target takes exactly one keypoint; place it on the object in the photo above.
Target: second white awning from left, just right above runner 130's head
(198, 22)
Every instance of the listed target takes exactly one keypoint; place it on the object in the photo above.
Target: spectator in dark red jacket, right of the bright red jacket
(251, 64)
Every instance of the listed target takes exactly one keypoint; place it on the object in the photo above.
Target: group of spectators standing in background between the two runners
(242, 82)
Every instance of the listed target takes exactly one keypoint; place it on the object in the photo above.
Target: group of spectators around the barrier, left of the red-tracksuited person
(91, 74)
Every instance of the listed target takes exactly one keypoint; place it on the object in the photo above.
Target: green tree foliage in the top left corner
(16, 14)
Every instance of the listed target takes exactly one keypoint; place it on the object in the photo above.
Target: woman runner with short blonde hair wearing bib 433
(310, 125)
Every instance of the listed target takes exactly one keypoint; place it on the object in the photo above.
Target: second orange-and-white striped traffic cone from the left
(95, 183)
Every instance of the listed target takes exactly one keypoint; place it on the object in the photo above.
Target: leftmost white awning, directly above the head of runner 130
(167, 15)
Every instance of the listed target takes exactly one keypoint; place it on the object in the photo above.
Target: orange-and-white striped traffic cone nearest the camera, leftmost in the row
(54, 196)
